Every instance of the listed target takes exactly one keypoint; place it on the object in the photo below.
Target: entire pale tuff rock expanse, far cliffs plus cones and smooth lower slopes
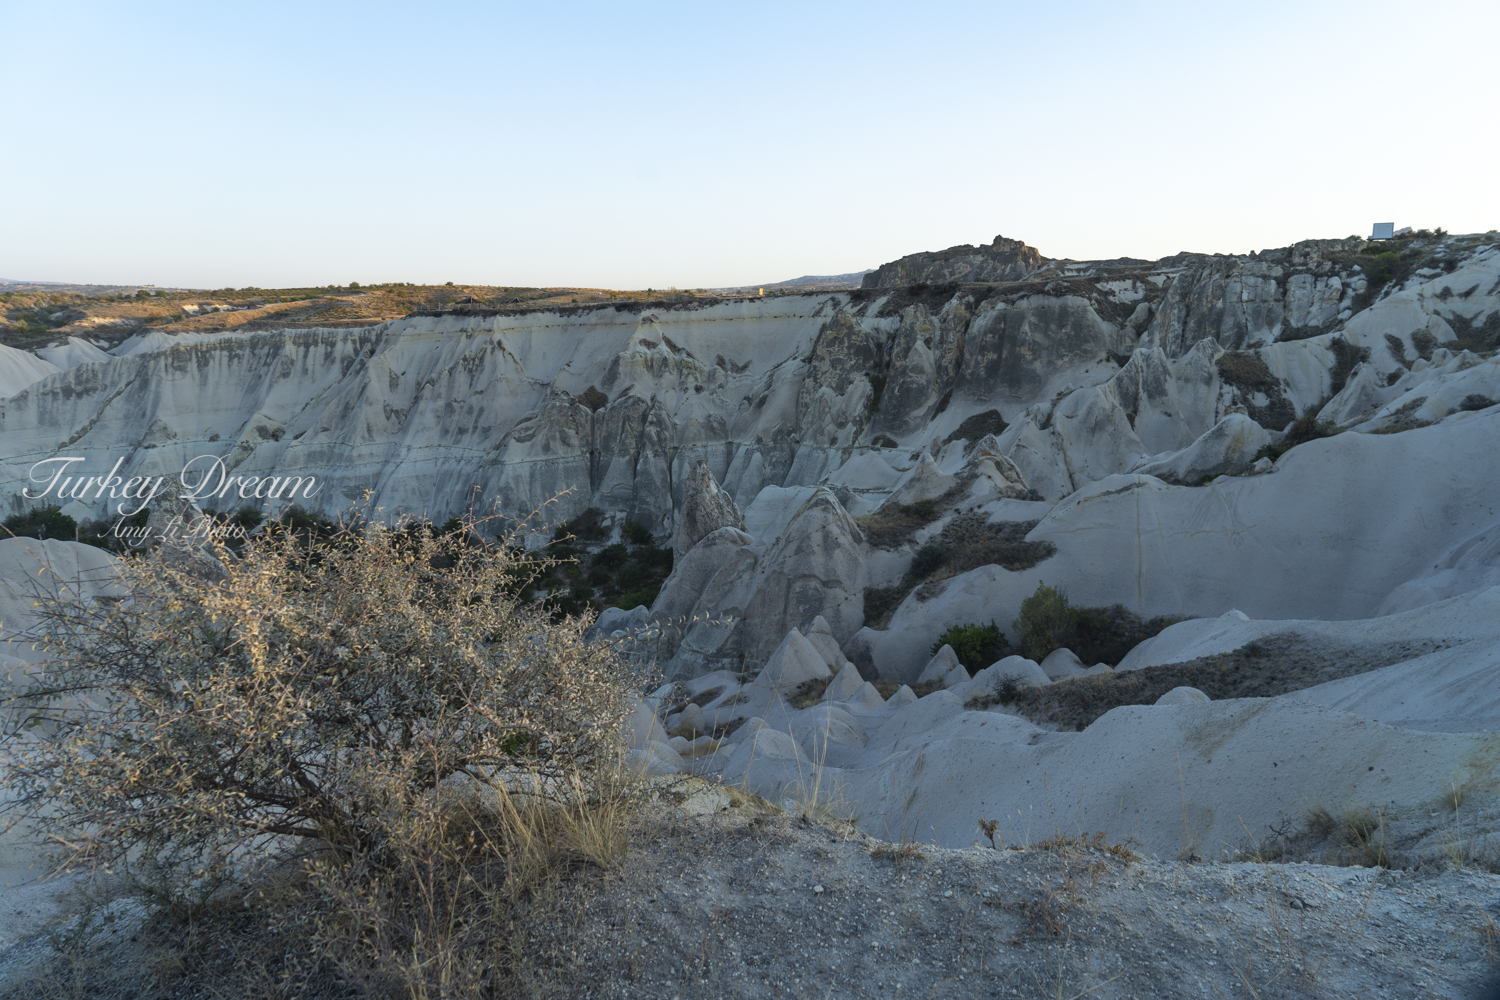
(1276, 446)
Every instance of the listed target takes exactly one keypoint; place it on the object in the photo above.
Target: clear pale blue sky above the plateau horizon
(710, 145)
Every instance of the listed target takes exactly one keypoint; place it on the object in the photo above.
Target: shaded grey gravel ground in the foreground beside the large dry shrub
(724, 896)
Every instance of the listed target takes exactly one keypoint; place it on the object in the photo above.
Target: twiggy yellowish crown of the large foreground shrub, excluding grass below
(290, 692)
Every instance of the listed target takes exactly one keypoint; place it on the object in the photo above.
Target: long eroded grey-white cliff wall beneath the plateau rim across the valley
(1087, 371)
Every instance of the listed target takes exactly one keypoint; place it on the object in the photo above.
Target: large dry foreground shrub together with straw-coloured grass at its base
(376, 711)
